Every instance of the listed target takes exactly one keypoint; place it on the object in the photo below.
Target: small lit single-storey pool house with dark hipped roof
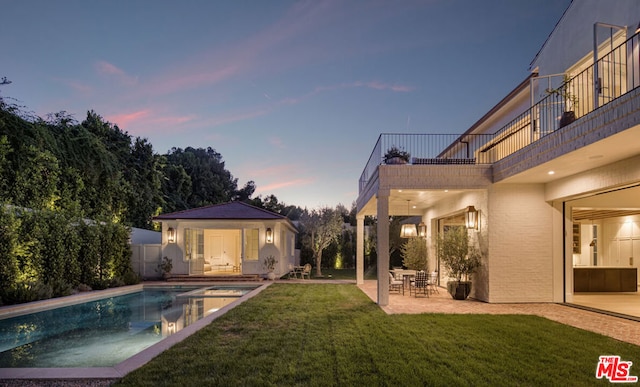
(229, 239)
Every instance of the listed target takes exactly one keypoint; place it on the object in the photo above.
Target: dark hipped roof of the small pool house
(224, 211)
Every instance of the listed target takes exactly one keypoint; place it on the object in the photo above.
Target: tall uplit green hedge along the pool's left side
(46, 254)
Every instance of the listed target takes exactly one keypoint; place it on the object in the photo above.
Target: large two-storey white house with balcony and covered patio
(552, 171)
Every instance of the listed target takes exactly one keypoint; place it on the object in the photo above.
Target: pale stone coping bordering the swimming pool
(132, 363)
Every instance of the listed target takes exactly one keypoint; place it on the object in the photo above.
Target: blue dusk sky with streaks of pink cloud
(293, 94)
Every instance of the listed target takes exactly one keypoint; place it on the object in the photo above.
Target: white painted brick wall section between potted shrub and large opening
(520, 244)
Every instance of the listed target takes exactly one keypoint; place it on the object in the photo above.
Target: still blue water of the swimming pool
(106, 332)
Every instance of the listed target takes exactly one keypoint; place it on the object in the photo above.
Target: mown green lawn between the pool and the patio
(325, 334)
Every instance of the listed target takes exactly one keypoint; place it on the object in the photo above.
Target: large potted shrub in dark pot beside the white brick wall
(460, 259)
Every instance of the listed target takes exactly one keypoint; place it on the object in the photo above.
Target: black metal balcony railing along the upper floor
(618, 73)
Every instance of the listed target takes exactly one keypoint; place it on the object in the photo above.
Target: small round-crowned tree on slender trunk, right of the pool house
(322, 226)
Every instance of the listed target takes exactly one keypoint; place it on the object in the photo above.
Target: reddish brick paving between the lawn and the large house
(616, 327)
